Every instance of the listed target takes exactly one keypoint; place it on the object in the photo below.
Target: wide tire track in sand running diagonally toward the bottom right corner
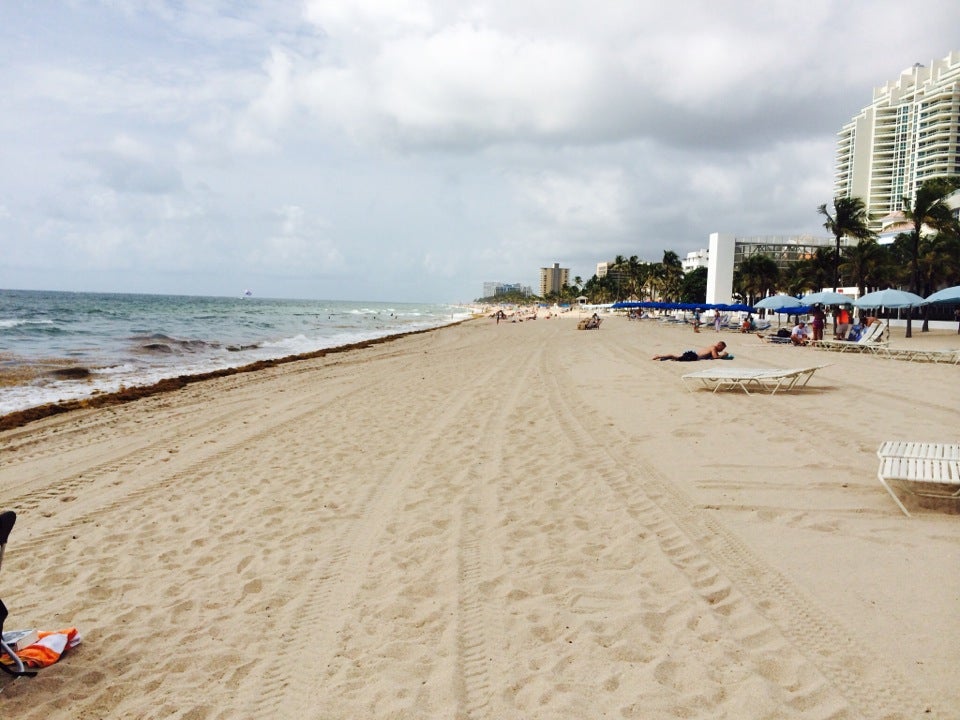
(739, 585)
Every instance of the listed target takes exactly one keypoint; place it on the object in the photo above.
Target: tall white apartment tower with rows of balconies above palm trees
(907, 134)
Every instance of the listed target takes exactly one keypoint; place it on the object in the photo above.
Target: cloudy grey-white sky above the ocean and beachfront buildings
(413, 149)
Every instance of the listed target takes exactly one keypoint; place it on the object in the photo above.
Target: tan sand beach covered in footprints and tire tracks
(492, 521)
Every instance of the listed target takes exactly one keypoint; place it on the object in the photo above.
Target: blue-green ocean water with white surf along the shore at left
(133, 340)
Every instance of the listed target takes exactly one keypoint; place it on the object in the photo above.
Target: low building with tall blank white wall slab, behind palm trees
(727, 251)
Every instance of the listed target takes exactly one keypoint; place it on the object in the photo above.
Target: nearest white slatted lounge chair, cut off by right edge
(924, 469)
